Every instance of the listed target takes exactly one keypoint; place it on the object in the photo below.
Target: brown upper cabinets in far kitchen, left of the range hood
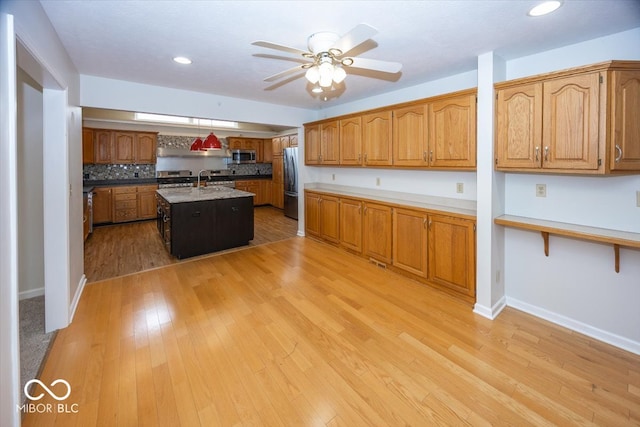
(118, 147)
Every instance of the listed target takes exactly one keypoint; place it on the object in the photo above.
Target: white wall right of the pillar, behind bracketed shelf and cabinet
(576, 285)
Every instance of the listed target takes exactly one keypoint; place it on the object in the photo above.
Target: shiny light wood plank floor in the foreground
(296, 333)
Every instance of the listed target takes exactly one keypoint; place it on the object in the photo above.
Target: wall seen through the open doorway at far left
(30, 188)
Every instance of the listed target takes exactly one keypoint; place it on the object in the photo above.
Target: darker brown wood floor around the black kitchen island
(116, 250)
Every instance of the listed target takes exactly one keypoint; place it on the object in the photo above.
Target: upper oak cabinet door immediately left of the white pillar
(452, 132)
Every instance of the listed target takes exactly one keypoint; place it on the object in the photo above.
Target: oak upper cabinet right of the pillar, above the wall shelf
(578, 121)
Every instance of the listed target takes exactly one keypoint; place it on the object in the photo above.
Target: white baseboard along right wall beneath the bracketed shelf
(574, 325)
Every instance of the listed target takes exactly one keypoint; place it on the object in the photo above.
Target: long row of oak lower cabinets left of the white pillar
(432, 247)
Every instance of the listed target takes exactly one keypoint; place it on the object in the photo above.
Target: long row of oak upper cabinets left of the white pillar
(437, 132)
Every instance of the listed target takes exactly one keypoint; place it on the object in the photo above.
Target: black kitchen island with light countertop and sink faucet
(198, 221)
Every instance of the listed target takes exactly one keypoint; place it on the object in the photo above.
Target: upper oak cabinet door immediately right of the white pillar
(519, 127)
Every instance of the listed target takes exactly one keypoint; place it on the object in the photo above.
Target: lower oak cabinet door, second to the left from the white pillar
(410, 241)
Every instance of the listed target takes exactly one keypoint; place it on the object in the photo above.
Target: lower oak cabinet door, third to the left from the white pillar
(377, 232)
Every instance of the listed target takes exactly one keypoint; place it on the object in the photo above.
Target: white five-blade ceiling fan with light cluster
(328, 57)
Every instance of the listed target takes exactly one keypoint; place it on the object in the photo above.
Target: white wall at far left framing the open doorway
(26, 29)
